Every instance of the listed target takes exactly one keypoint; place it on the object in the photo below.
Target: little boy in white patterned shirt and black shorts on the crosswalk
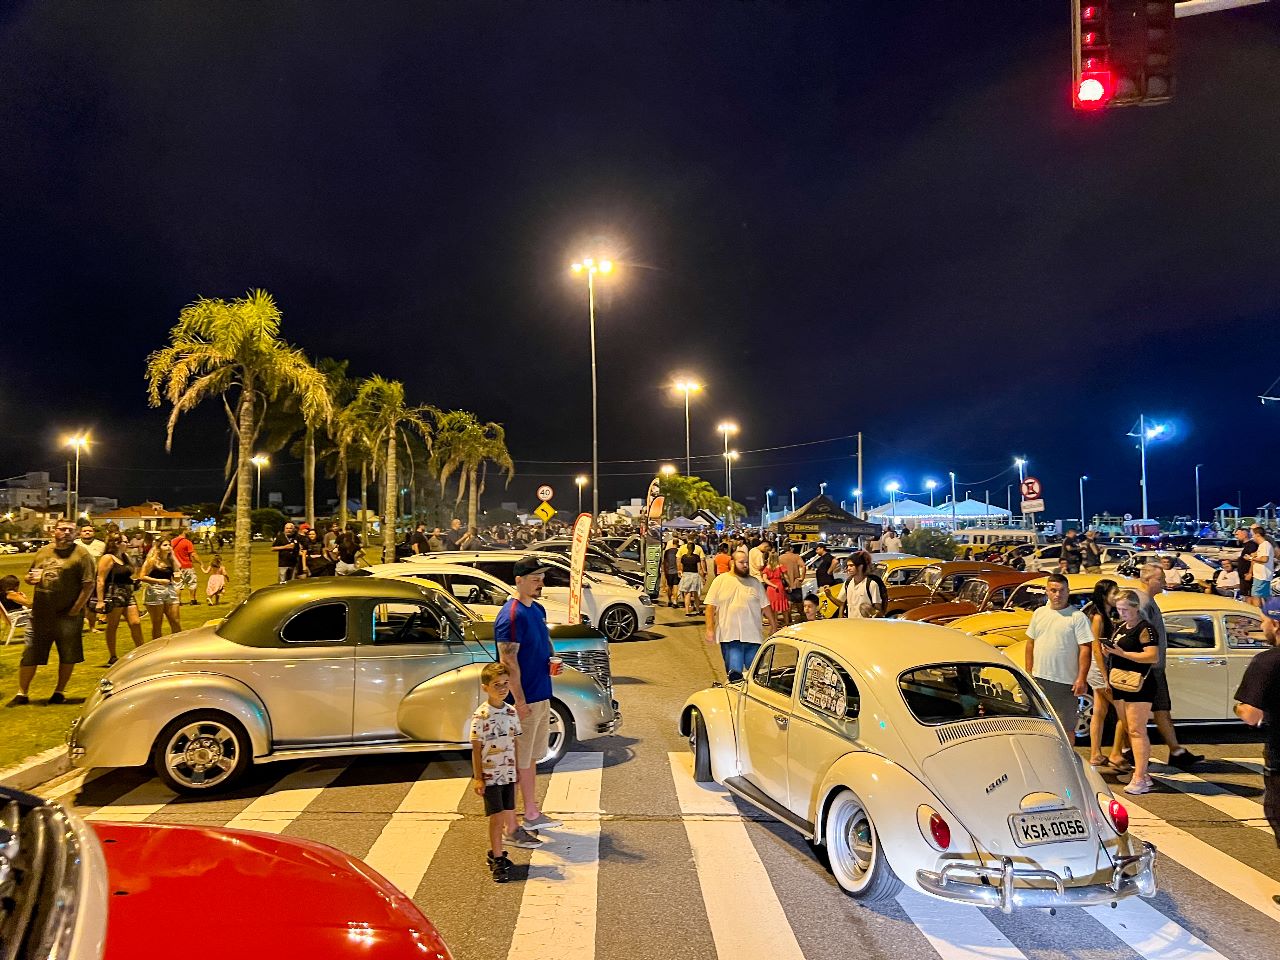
(495, 729)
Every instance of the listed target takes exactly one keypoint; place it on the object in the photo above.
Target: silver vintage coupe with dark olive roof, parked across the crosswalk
(321, 668)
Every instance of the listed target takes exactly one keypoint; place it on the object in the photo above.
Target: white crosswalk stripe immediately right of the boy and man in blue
(557, 911)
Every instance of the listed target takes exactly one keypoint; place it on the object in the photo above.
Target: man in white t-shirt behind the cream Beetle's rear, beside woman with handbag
(1059, 648)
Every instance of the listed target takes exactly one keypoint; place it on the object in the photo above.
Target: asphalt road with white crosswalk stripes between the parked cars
(651, 867)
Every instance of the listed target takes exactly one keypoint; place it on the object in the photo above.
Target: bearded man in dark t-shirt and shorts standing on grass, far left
(63, 574)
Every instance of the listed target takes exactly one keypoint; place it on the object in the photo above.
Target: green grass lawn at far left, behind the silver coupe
(31, 730)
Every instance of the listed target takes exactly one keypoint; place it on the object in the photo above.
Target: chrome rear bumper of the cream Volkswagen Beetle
(996, 886)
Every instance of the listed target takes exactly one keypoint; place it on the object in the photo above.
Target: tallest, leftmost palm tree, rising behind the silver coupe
(232, 350)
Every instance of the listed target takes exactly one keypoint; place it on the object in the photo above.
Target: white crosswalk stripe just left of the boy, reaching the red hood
(413, 836)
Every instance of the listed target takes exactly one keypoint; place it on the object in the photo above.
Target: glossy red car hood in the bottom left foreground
(180, 892)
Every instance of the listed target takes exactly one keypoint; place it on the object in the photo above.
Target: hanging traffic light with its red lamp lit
(1123, 53)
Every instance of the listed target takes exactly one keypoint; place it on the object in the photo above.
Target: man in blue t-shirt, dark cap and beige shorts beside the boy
(525, 648)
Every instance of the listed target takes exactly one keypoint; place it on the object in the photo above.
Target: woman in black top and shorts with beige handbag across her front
(1132, 652)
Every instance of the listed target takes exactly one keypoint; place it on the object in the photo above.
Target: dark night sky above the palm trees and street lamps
(839, 217)
